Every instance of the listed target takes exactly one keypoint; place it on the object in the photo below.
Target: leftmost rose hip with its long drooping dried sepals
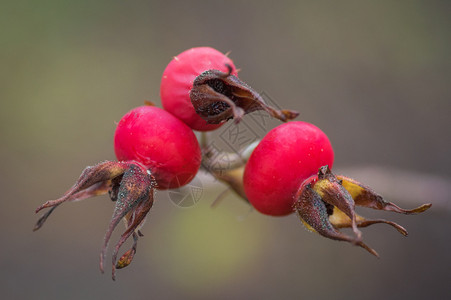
(155, 150)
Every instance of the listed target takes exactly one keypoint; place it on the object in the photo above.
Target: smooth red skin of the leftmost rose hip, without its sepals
(161, 142)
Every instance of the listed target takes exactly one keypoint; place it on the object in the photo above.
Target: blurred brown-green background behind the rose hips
(374, 75)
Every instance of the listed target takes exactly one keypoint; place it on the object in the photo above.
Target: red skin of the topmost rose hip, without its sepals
(178, 78)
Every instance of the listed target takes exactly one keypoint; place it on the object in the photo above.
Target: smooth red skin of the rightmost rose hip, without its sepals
(286, 156)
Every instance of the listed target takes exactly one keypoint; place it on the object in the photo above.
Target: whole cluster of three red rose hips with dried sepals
(288, 171)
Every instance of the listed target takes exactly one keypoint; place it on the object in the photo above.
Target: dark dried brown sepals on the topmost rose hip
(218, 97)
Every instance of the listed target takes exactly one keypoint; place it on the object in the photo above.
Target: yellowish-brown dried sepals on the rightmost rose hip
(326, 203)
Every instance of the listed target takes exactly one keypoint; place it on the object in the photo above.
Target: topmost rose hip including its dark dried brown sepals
(200, 86)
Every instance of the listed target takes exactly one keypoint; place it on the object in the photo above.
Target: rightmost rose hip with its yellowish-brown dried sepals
(290, 170)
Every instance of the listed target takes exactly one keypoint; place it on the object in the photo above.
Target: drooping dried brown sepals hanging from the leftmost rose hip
(129, 184)
